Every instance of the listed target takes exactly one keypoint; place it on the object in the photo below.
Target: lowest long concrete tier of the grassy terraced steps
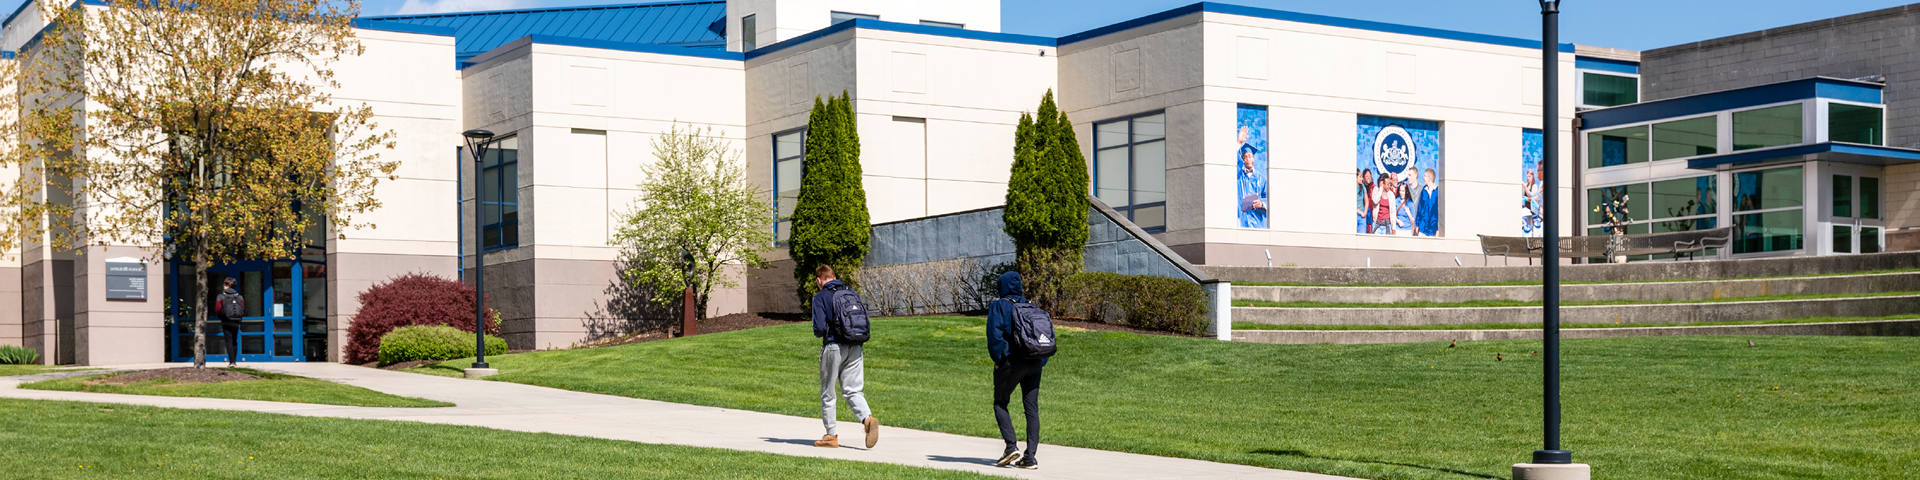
(1416, 337)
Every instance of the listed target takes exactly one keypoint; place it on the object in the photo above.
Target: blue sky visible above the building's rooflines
(1620, 24)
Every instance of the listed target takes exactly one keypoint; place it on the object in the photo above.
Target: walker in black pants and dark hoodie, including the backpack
(1017, 368)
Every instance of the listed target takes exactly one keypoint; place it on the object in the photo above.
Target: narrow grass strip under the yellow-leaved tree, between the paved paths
(270, 389)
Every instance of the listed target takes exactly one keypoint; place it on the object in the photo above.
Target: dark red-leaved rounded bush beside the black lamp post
(408, 300)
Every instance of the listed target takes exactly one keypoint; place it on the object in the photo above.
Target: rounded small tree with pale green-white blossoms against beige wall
(696, 214)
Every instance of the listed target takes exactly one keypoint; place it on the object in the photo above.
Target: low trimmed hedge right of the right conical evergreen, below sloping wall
(1138, 300)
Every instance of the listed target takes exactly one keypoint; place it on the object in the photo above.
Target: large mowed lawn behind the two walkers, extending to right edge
(1637, 408)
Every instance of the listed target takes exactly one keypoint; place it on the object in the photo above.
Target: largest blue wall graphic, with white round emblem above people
(1397, 178)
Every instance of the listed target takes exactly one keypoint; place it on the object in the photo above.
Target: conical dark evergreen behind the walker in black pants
(1047, 203)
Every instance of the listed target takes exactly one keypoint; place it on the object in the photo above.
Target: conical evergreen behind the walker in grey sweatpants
(830, 222)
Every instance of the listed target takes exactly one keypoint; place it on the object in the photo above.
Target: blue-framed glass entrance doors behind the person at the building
(274, 327)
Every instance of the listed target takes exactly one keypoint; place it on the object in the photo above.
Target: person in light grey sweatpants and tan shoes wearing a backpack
(840, 322)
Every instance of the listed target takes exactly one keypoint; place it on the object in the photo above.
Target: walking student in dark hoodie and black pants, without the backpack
(1011, 373)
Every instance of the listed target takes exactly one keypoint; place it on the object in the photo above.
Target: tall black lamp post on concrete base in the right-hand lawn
(1552, 454)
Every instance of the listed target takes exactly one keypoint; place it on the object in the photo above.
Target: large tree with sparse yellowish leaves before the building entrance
(199, 130)
